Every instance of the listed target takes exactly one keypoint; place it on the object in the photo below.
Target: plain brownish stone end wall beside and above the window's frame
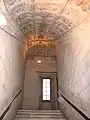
(32, 83)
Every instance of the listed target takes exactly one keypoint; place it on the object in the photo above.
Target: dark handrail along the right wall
(76, 108)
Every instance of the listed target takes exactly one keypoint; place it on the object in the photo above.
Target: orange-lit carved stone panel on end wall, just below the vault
(41, 48)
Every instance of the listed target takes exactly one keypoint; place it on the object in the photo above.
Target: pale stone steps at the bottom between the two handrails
(39, 115)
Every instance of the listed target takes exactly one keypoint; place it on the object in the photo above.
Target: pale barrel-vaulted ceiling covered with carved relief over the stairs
(53, 17)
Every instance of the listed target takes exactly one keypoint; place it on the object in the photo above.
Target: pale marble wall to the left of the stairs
(11, 70)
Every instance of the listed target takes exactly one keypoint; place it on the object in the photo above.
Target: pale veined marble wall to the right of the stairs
(73, 58)
